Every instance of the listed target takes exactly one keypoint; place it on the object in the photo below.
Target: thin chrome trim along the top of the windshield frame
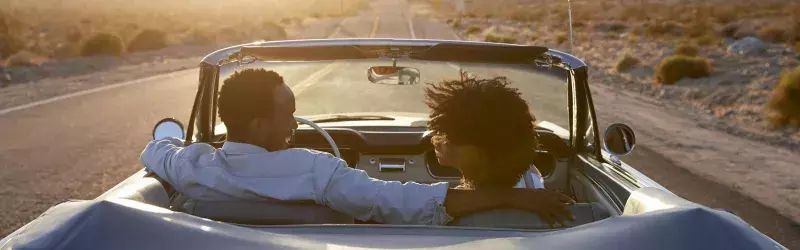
(217, 57)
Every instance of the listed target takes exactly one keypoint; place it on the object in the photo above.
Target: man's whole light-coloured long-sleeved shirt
(241, 171)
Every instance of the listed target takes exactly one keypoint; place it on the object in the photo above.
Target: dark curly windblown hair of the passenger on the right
(490, 115)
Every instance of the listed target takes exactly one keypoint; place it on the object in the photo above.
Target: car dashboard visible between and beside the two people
(406, 153)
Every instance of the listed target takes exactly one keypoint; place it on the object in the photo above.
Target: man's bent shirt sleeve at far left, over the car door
(162, 157)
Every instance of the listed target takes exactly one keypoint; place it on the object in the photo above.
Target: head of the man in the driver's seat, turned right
(257, 108)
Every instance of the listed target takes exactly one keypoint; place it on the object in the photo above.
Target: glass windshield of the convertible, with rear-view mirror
(334, 89)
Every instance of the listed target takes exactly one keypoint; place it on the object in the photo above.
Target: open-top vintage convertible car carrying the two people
(362, 100)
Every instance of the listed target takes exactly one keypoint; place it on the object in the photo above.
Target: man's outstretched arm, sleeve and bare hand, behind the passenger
(352, 192)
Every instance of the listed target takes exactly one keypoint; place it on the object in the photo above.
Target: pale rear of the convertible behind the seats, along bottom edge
(669, 223)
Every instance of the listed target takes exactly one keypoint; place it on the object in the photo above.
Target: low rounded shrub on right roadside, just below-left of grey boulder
(677, 67)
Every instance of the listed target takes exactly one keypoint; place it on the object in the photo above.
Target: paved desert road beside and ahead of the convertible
(78, 147)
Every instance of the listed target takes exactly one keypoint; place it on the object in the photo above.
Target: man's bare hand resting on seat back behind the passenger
(549, 205)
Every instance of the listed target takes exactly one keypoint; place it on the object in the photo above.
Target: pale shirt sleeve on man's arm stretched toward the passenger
(353, 192)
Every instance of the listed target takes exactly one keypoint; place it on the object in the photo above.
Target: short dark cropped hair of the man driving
(247, 95)
